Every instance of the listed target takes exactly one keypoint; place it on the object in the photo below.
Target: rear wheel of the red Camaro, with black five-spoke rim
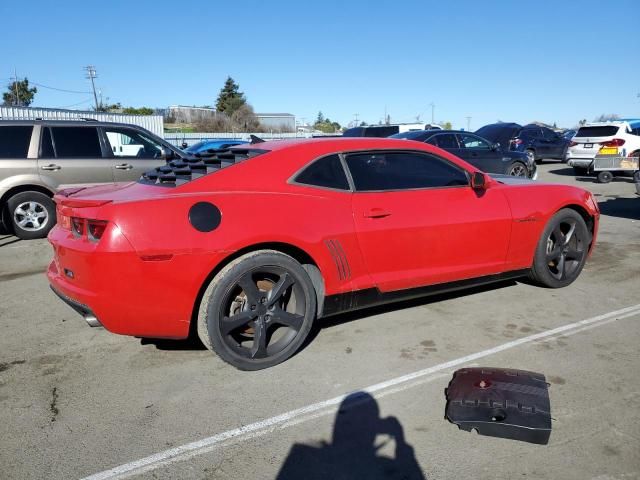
(260, 330)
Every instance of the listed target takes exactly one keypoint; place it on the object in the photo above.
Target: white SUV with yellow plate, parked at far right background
(619, 137)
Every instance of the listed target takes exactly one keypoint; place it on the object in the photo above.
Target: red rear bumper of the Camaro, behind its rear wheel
(126, 294)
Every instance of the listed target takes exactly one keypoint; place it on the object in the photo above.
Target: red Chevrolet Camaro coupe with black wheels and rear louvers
(247, 247)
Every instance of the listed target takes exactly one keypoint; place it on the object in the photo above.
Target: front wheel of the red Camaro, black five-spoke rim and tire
(561, 251)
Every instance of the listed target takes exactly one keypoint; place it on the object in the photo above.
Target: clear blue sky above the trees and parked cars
(509, 60)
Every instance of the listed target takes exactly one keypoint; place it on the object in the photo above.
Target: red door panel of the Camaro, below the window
(420, 237)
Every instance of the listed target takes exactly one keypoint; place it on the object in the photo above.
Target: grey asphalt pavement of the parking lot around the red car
(78, 402)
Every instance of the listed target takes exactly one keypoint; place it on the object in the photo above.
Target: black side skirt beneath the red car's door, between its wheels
(371, 297)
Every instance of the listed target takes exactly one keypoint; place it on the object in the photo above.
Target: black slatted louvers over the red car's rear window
(180, 171)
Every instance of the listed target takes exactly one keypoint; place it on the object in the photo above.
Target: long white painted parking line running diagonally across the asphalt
(314, 410)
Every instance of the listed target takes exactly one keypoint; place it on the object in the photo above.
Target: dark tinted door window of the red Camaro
(402, 170)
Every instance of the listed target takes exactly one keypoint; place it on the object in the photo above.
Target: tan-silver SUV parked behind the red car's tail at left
(39, 157)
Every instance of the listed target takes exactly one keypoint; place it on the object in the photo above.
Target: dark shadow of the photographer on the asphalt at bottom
(353, 453)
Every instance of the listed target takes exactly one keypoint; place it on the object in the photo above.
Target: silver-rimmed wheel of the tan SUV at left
(31, 215)
